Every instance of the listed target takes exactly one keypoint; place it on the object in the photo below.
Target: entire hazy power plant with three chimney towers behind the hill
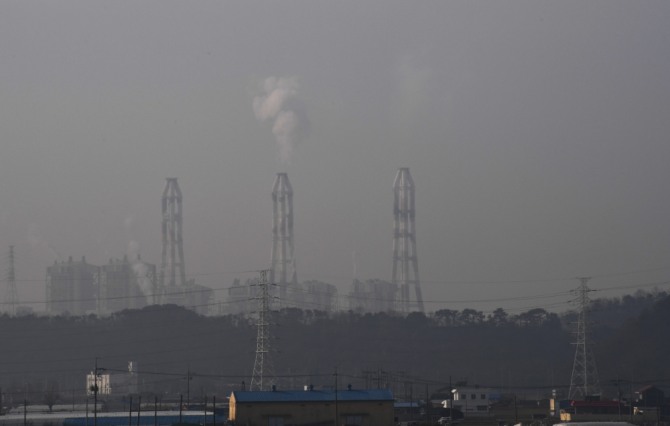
(77, 287)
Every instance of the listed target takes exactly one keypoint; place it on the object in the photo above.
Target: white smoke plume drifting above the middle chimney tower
(280, 106)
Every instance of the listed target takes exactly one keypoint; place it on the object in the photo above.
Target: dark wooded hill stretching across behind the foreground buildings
(412, 354)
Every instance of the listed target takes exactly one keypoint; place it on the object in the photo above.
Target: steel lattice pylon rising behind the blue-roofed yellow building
(263, 362)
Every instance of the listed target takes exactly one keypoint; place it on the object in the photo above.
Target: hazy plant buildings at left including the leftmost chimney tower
(76, 287)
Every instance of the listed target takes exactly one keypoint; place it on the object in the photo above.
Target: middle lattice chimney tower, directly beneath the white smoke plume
(283, 271)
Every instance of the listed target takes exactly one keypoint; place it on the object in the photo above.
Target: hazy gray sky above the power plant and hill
(537, 133)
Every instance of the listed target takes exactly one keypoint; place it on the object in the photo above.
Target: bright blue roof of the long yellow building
(312, 395)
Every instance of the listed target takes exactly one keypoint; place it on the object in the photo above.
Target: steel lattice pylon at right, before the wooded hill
(584, 381)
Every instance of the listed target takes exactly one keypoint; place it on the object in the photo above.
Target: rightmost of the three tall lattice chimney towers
(405, 260)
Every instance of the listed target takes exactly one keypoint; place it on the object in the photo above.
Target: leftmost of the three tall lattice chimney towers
(172, 274)
